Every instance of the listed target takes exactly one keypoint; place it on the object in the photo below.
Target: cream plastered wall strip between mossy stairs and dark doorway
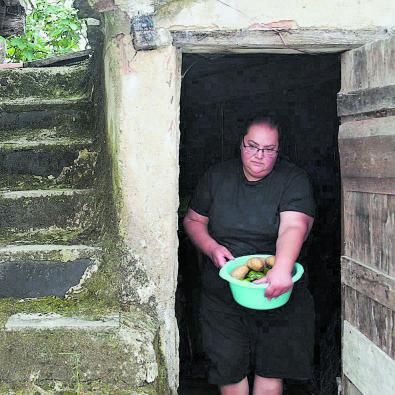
(142, 92)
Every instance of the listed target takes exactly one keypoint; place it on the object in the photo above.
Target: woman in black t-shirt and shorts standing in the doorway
(259, 204)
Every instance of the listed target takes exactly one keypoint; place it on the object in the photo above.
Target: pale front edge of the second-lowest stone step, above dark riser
(53, 252)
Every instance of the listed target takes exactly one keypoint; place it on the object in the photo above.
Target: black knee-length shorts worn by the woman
(276, 343)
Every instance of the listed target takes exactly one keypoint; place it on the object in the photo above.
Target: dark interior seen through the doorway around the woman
(220, 94)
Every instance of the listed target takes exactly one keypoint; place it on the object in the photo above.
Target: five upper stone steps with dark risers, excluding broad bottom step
(47, 197)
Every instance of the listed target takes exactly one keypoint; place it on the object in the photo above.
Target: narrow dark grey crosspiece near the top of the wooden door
(366, 101)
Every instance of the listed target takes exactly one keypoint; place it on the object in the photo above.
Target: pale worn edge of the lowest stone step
(54, 321)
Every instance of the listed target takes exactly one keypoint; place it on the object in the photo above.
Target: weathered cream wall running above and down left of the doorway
(142, 90)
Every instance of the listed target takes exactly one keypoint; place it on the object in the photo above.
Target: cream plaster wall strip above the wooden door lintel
(233, 14)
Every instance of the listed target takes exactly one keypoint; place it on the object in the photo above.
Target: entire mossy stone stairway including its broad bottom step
(60, 324)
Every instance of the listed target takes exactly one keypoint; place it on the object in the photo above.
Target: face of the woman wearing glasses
(259, 164)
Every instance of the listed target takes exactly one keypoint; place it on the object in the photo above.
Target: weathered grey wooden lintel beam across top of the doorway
(309, 40)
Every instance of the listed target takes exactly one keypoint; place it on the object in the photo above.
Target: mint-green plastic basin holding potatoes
(253, 295)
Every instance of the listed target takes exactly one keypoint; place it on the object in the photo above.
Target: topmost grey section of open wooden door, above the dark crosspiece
(369, 66)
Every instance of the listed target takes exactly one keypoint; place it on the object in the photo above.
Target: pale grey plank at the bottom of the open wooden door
(368, 367)
